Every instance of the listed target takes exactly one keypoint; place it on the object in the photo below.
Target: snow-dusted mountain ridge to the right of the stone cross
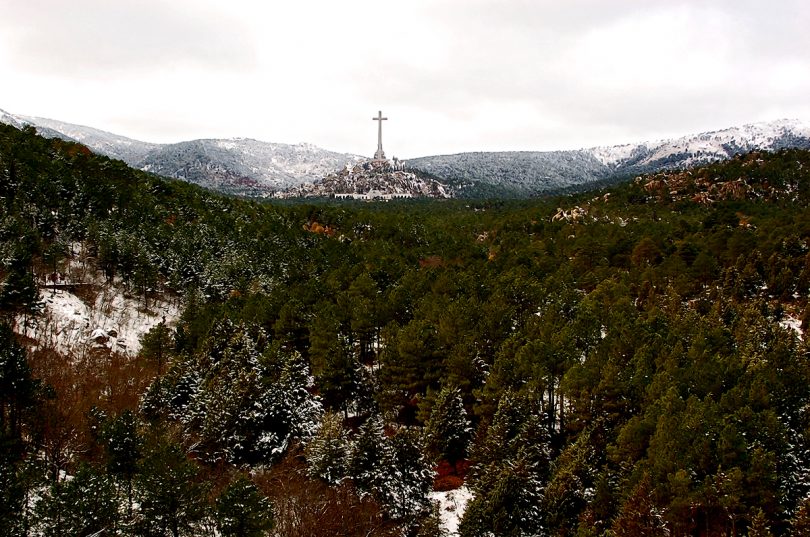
(531, 173)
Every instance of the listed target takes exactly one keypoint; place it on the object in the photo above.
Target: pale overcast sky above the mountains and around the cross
(451, 75)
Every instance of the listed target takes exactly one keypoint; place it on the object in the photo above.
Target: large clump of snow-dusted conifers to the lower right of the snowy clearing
(240, 400)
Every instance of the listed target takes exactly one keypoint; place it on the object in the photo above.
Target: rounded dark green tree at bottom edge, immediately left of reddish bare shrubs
(242, 511)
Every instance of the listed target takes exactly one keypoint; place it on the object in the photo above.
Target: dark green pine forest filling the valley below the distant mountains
(621, 362)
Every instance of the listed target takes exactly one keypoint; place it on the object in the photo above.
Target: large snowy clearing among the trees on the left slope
(115, 321)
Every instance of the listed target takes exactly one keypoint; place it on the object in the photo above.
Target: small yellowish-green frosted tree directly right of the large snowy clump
(328, 451)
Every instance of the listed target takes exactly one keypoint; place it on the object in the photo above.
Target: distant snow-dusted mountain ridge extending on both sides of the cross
(254, 168)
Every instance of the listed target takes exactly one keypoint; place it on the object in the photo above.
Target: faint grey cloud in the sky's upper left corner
(102, 38)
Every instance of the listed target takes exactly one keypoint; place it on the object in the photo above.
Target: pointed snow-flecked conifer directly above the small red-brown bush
(448, 431)
